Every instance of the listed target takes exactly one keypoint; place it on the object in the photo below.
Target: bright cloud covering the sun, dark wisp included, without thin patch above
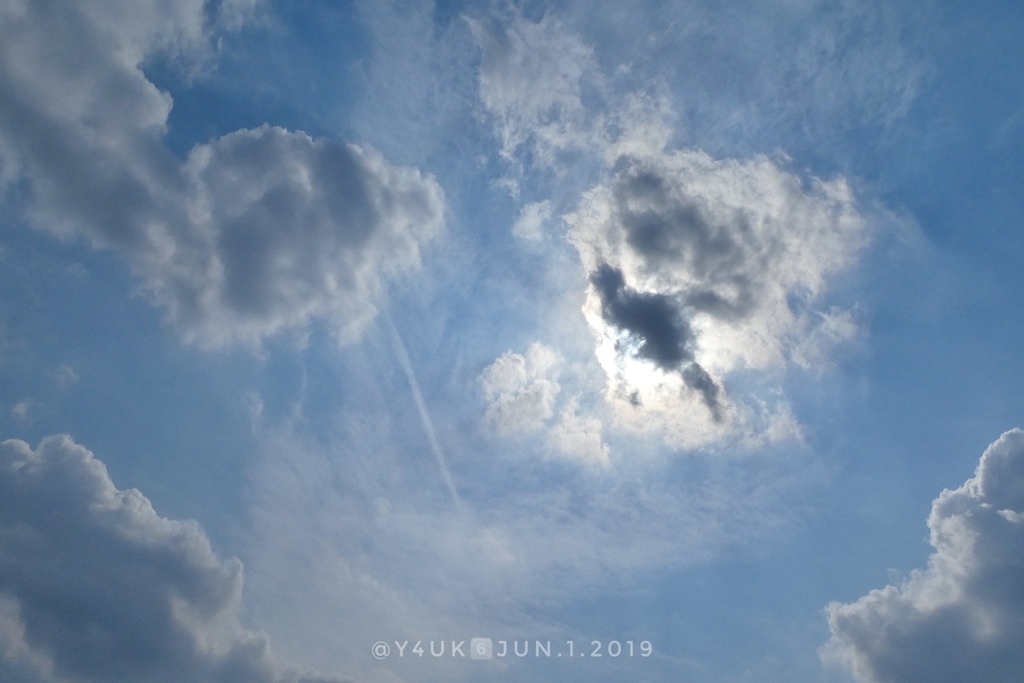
(700, 268)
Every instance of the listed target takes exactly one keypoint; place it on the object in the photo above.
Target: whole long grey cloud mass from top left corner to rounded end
(258, 232)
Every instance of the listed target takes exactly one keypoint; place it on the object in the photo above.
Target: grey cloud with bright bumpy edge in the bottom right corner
(962, 619)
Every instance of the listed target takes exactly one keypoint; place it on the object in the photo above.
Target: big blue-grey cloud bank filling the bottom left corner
(96, 586)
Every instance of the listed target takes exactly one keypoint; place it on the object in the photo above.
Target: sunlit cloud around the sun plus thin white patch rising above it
(699, 269)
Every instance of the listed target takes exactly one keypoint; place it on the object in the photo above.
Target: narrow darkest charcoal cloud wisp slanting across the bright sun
(660, 329)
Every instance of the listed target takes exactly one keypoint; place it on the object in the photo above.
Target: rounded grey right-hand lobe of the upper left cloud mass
(285, 229)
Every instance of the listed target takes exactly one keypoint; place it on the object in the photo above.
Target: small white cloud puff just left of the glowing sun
(521, 391)
